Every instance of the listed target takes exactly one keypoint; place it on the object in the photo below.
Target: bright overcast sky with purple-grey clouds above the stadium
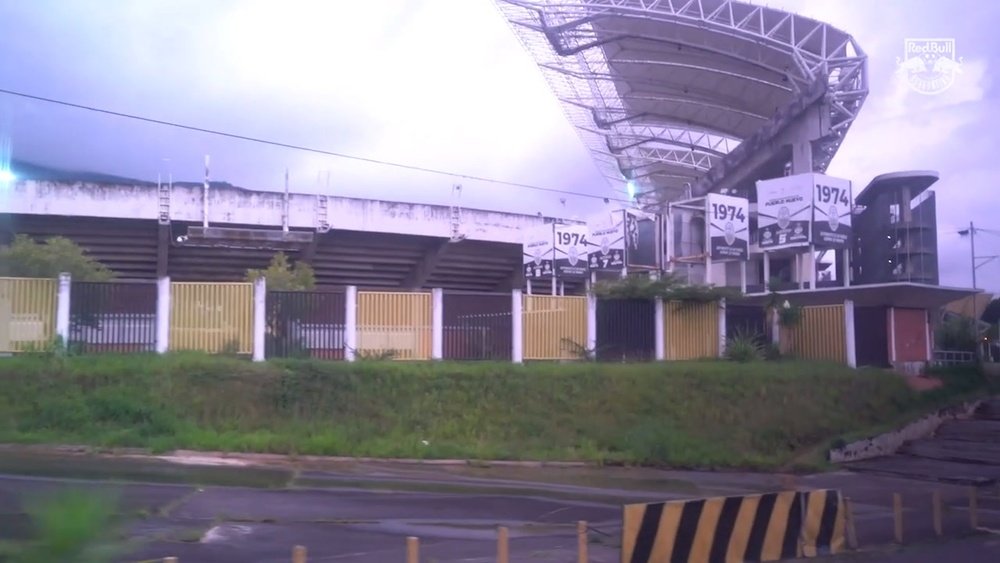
(441, 84)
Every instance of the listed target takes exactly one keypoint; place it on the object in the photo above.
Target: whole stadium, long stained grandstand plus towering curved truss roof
(677, 102)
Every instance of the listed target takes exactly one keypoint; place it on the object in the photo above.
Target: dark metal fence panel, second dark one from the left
(305, 324)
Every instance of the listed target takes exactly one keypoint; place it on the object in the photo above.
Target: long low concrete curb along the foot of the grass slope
(193, 457)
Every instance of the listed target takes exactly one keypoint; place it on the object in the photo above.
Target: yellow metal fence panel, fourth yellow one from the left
(555, 327)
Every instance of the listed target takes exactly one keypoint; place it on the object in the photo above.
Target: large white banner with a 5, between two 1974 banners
(784, 211)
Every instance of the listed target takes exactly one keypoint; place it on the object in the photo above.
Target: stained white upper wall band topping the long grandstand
(246, 207)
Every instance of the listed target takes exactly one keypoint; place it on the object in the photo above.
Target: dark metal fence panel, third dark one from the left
(477, 326)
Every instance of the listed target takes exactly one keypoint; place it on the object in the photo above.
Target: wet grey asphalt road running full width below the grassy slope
(364, 512)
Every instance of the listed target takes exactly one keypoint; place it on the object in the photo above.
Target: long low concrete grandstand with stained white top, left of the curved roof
(143, 231)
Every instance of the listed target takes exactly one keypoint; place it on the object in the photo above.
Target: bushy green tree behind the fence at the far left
(25, 258)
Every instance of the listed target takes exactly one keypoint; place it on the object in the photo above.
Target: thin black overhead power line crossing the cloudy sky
(302, 147)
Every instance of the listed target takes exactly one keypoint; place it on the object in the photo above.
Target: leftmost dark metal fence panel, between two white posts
(112, 317)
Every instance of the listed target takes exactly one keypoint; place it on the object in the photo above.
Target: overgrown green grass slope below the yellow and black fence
(682, 414)
